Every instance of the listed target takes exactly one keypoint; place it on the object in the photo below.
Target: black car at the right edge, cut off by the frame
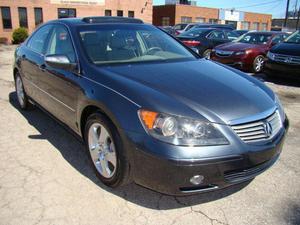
(284, 59)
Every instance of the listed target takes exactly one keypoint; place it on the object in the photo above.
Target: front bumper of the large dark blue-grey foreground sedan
(172, 176)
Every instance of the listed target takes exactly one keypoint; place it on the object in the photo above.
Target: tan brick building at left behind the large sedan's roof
(30, 13)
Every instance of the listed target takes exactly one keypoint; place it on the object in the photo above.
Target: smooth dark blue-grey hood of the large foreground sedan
(219, 94)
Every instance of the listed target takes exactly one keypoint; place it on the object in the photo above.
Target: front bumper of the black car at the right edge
(282, 69)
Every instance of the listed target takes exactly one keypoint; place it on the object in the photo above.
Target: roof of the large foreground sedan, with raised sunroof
(97, 20)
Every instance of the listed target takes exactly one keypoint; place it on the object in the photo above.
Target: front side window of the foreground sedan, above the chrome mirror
(60, 43)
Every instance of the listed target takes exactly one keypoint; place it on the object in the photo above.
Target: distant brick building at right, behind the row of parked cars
(169, 15)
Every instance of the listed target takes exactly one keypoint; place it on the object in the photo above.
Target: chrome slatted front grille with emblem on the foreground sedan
(259, 130)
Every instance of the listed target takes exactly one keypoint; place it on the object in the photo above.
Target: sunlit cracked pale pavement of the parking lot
(45, 177)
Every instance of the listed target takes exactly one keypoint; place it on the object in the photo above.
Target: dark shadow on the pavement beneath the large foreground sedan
(74, 153)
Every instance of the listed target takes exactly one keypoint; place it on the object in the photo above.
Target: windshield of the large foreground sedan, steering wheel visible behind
(107, 44)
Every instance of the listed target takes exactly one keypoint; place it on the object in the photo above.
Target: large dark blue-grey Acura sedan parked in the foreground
(147, 107)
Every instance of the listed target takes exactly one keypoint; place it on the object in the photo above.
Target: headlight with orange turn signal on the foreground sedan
(179, 130)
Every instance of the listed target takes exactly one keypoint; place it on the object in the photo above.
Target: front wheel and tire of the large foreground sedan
(105, 149)
